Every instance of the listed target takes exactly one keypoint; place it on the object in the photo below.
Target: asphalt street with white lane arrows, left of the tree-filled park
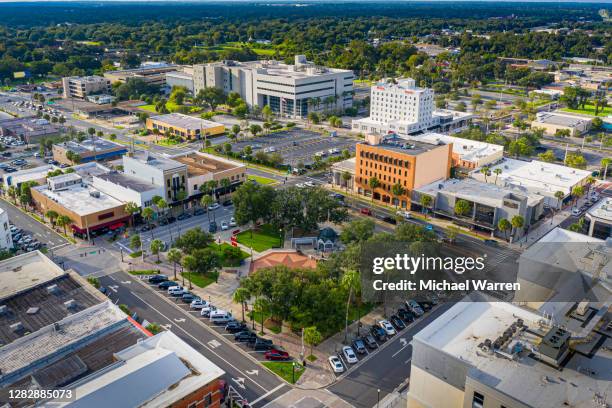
(249, 378)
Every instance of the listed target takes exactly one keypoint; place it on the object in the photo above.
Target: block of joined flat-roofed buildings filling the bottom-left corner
(59, 332)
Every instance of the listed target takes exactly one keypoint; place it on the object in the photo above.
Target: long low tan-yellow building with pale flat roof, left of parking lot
(185, 126)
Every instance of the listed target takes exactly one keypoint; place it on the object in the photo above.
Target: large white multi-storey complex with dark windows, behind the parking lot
(290, 90)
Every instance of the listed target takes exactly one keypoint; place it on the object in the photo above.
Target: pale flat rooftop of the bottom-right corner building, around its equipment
(460, 330)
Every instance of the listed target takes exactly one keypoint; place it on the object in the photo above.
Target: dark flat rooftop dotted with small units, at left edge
(44, 304)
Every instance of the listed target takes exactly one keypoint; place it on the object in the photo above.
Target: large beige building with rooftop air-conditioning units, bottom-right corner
(495, 354)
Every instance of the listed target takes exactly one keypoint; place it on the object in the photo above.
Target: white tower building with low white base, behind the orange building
(403, 108)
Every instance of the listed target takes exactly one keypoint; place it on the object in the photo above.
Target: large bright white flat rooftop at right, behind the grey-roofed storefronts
(546, 178)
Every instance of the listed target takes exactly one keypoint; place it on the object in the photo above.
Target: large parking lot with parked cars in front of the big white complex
(298, 145)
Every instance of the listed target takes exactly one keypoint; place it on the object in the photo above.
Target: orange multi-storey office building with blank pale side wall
(390, 161)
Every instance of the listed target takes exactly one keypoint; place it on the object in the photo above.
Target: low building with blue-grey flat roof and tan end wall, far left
(88, 150)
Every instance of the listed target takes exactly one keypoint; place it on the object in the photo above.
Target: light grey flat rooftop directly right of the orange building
(476, 191)
